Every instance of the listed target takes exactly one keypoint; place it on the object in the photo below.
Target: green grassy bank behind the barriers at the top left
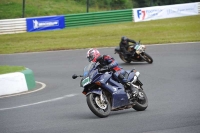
(13, 8)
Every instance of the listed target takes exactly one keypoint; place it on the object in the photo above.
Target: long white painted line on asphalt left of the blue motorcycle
(41, 102)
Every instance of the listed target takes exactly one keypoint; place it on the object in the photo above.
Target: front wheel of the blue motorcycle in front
(100, 109)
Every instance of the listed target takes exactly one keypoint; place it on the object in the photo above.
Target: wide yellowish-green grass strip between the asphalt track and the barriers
(183, 29)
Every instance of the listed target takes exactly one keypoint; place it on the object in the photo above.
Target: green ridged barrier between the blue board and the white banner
(73, 20)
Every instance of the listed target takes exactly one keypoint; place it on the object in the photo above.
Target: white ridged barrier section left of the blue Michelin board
(10, 26)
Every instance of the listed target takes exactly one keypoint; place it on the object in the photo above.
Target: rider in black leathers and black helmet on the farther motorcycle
(124, 45)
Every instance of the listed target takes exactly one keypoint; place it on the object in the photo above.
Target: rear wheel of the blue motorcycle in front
(141, 104)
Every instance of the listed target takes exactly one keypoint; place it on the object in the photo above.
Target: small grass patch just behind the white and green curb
(10, 69)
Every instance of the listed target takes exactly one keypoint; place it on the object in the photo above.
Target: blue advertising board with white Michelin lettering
(45, 23)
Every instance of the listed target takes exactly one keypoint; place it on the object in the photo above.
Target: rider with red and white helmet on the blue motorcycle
(108, 63)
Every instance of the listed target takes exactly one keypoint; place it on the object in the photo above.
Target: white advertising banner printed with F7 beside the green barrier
(161, 12)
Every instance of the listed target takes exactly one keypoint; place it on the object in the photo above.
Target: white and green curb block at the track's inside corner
(17, 82)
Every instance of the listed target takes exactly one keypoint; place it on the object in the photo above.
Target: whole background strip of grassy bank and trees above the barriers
(33, 8)
